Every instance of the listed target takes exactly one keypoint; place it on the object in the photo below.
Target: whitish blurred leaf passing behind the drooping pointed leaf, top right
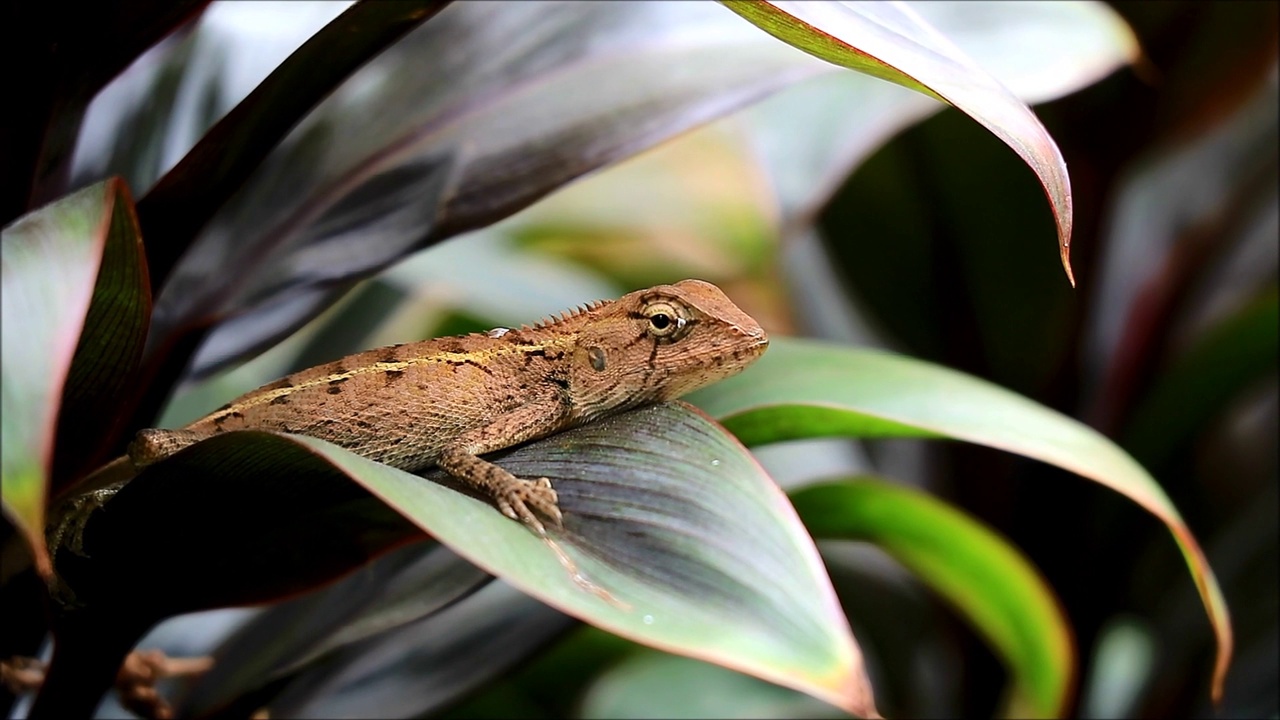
(1040, 51)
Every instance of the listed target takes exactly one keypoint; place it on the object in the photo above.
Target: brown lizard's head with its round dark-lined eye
(664, 343)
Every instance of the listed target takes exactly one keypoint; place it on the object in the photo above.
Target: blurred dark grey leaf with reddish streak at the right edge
(1192, 238)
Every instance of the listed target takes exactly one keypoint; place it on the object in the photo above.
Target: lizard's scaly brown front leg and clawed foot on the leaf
(518, 499)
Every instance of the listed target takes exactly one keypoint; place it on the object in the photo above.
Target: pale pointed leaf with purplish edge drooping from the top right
(893, 43)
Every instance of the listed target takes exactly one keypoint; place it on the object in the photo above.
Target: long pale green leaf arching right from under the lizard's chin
(804, 389)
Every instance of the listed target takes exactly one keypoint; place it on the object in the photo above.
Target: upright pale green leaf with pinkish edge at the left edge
(51, 262)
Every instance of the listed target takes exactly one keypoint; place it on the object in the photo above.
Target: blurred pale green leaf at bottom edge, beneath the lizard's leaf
(651, 685)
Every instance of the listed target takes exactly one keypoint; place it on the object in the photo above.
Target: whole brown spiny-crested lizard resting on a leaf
(447, 402)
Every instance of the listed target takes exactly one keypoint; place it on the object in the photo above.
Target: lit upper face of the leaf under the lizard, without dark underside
(679, 539)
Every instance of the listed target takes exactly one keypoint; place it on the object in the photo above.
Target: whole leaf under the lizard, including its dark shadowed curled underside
(679, 540)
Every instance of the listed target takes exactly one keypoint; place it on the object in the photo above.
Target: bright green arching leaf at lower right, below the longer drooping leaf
(986, 578)
